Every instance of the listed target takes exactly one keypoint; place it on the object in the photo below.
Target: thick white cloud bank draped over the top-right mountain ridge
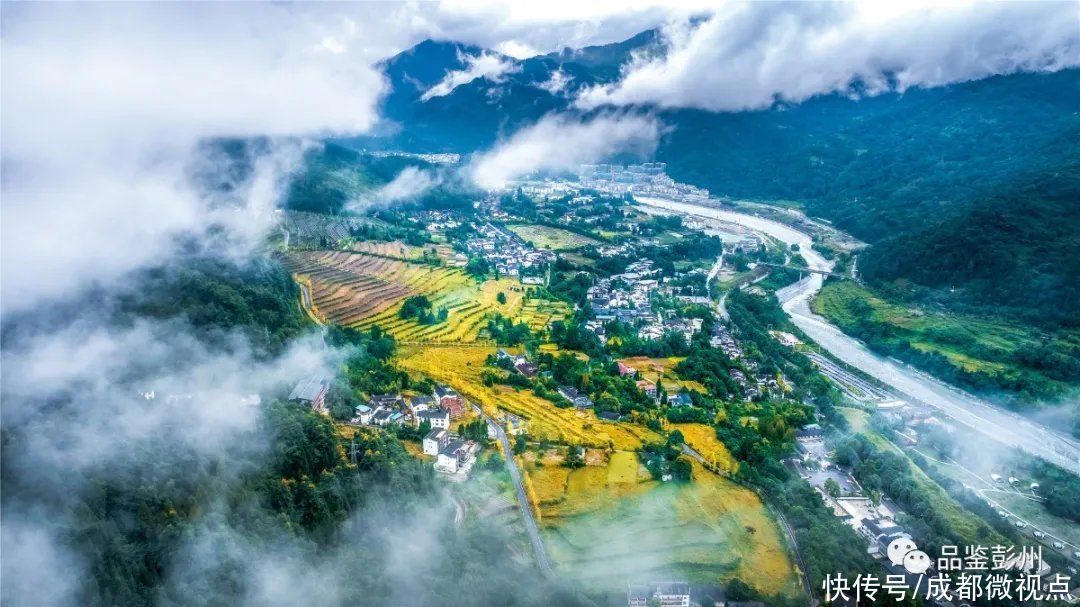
(749, 57)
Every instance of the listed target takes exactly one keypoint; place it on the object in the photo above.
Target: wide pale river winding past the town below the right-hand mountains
(1008, 428)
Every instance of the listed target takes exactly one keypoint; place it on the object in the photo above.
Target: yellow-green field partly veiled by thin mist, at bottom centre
(611, 527)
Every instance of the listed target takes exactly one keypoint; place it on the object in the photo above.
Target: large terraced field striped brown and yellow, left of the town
(361, 290)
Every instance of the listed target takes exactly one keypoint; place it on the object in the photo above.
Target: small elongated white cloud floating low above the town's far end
(563, 143)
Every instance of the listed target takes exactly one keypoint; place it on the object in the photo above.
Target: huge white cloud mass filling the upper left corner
(102, 131)
